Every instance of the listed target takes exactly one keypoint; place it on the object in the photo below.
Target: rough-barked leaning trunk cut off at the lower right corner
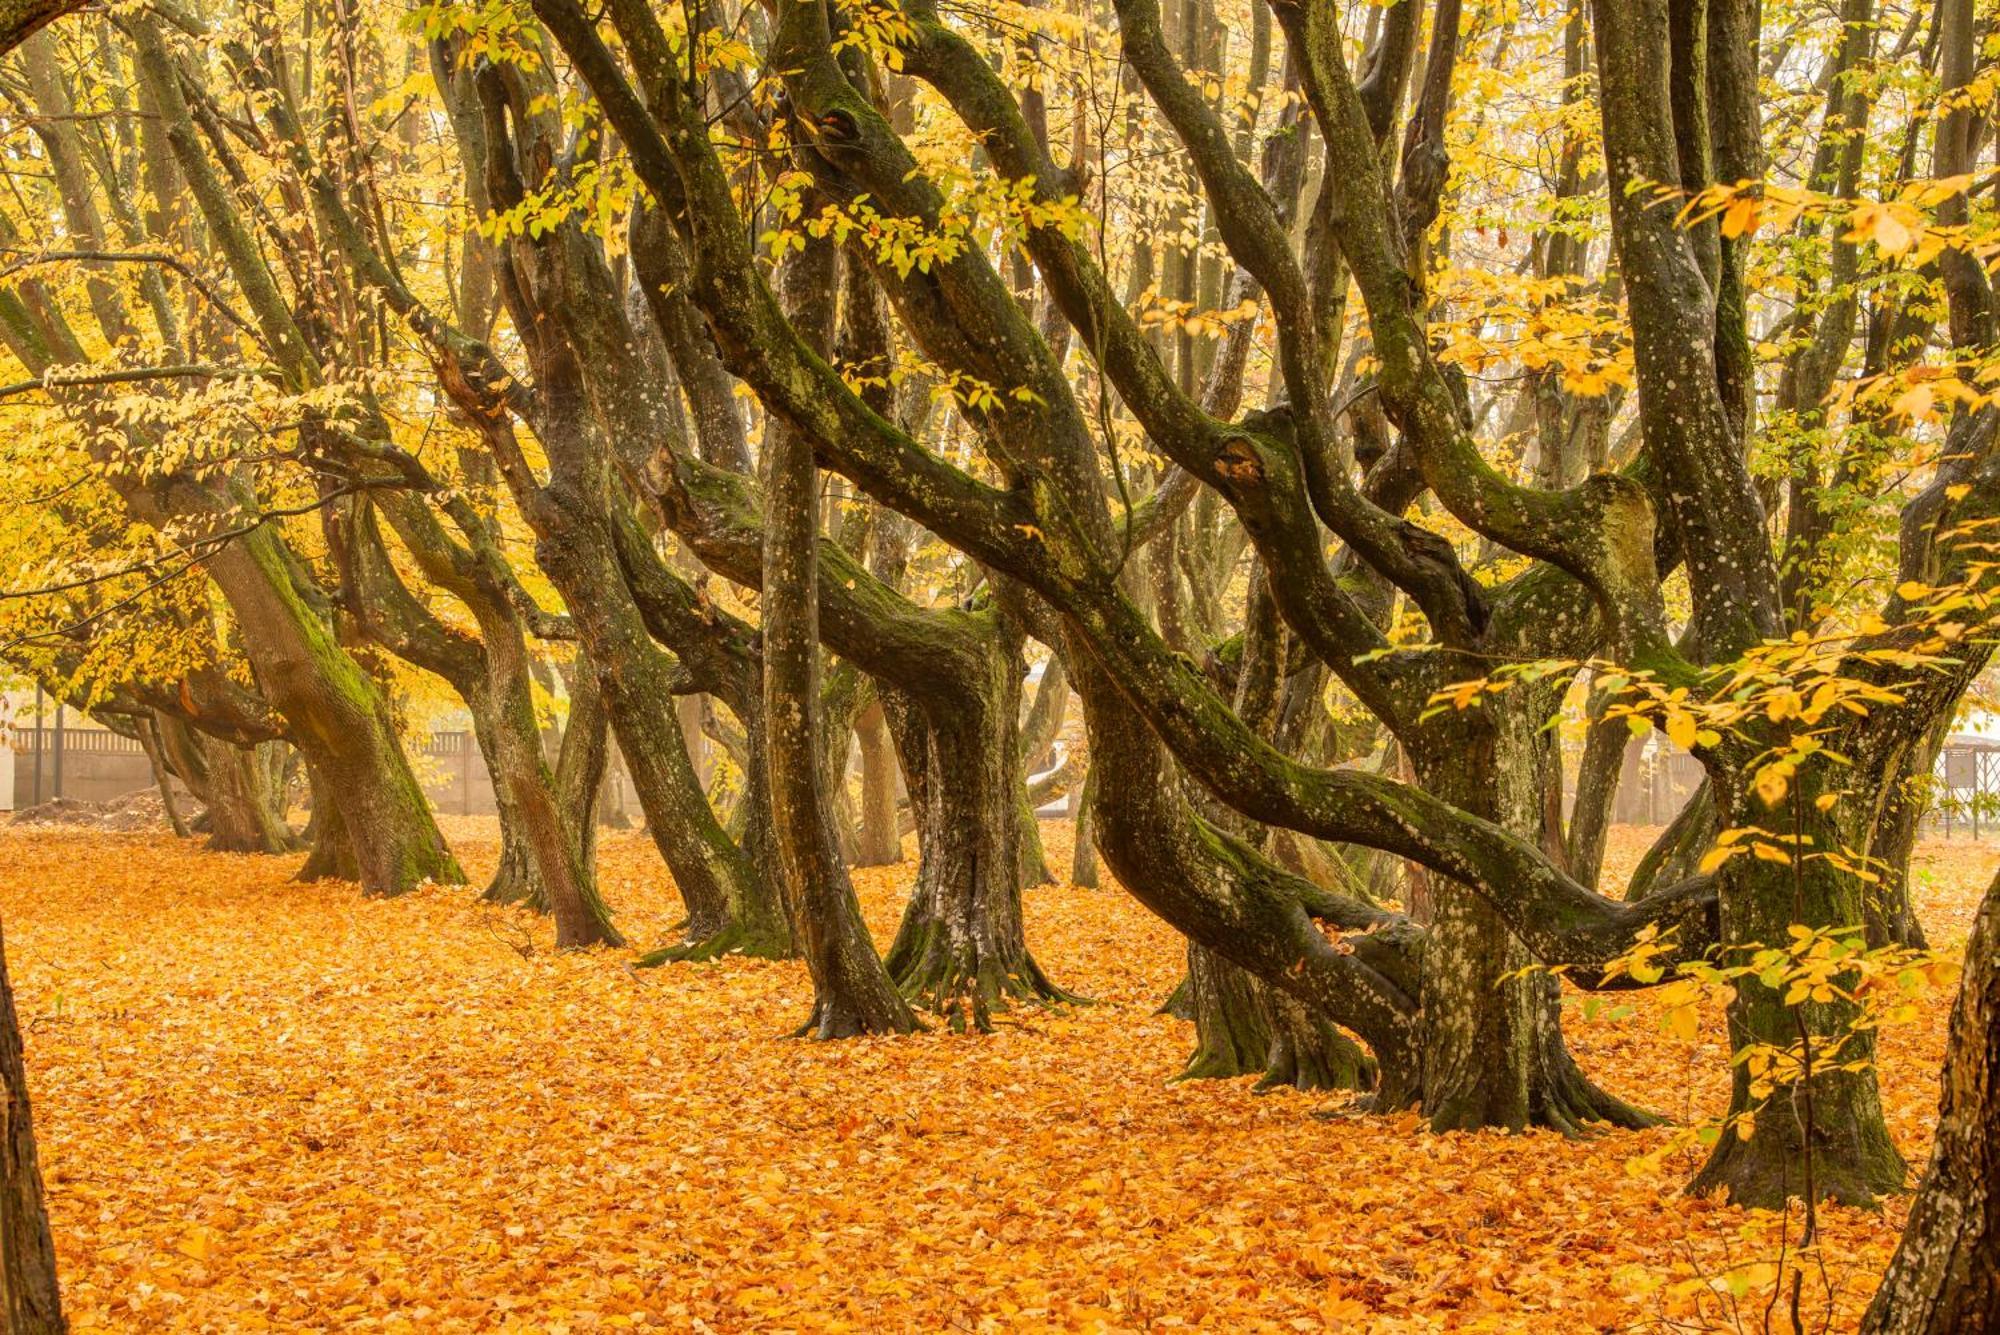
(1945, 1278)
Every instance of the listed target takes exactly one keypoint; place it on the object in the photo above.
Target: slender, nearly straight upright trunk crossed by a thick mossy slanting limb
(851, 990)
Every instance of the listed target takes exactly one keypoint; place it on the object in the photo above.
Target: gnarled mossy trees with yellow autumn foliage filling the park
(789, 375)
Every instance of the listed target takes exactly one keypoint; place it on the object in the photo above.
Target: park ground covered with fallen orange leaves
(275, 1106)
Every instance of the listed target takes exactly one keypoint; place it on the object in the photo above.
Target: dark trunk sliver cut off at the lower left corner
(31, 1300)
